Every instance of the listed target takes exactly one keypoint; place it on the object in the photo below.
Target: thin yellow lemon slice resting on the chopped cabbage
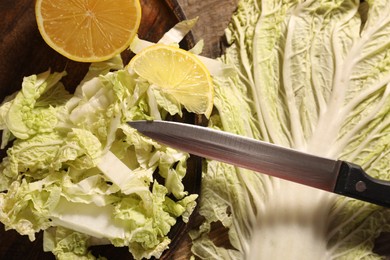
(179, 74)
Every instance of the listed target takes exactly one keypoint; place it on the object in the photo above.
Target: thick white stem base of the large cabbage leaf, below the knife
(294, 226)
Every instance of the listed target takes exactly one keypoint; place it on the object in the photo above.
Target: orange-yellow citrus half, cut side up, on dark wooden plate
(88, 30)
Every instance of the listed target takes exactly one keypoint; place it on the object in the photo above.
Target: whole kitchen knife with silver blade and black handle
(337, 176)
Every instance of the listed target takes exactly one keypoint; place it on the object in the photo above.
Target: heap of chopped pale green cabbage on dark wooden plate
(75, 168)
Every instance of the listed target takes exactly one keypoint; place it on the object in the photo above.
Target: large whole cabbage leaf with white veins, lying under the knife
(313, 76)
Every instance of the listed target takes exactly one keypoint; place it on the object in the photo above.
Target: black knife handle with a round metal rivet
(355, 183)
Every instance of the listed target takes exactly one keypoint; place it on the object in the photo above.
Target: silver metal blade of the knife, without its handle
(245, 152)
